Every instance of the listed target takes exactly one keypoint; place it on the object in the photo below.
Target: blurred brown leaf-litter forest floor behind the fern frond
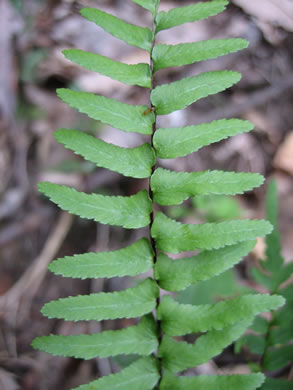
(33, 231)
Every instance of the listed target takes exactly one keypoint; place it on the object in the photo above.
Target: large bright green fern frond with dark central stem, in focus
(221, 245)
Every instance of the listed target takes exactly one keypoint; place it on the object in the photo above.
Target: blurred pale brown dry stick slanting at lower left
(27, 286)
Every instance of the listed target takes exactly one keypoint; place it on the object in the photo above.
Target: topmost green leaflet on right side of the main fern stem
(188, 14)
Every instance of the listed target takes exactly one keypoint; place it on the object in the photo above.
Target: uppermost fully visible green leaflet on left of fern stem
(133, 35)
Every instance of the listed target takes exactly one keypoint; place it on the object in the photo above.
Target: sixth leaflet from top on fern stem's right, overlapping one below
(175, 237)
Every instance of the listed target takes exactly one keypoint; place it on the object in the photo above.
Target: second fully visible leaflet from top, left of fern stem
(138, 74)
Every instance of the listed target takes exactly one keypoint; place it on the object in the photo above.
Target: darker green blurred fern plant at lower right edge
(272, 338)
